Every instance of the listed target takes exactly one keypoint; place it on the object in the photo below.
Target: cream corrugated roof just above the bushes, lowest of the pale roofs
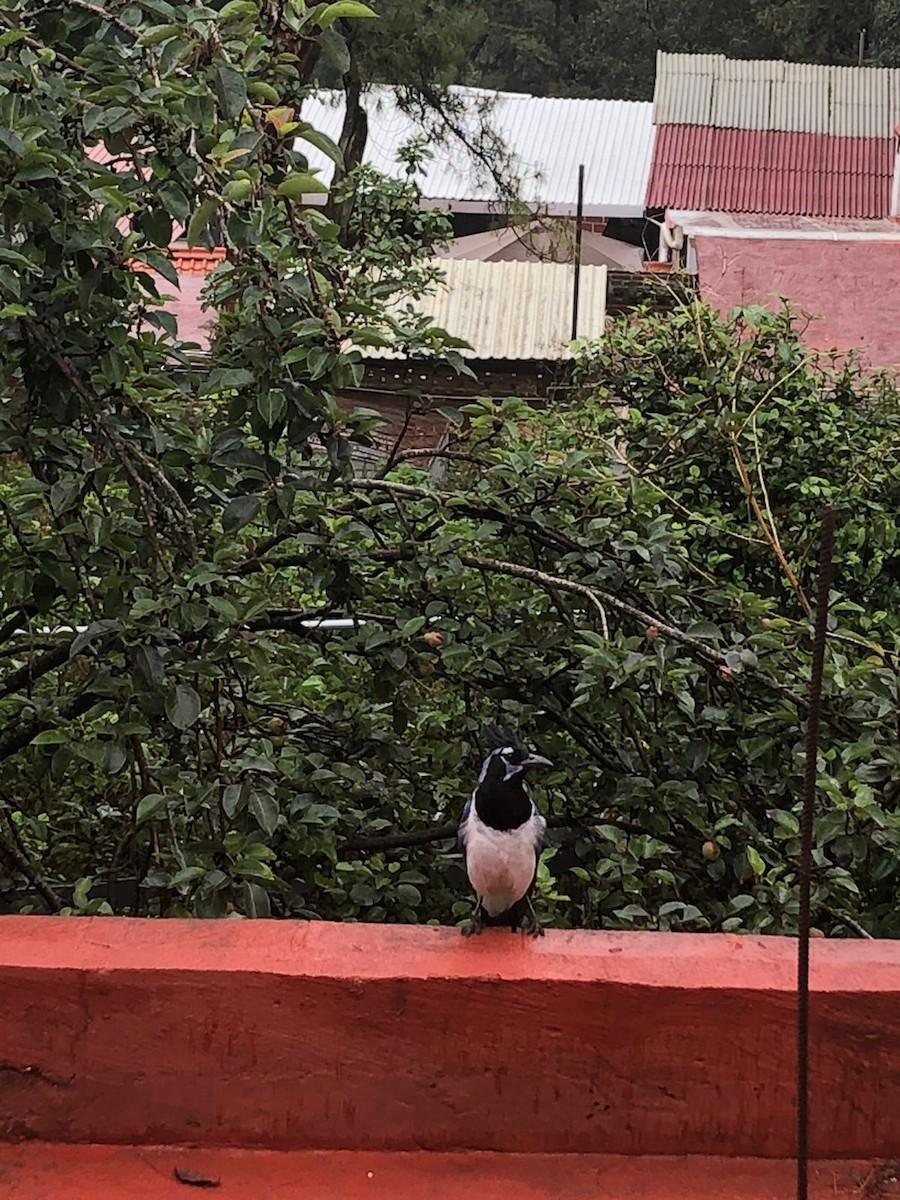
(514, 311)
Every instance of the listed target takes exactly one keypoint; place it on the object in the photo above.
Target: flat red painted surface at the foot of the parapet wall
(33, 1172)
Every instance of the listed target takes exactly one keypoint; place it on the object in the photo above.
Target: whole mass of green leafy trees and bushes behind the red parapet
(623, 578)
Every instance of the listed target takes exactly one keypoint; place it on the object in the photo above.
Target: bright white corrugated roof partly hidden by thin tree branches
(545, 139)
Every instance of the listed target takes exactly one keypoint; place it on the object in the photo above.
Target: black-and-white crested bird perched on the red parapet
(502, 836)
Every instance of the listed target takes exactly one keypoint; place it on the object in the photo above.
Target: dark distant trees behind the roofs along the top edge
(586, 49)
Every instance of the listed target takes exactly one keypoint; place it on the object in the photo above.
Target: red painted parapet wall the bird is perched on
(310, 1037)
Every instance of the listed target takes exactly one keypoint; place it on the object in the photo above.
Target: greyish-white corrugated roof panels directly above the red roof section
(799, 98)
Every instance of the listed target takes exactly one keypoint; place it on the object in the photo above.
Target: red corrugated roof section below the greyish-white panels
(757, 171)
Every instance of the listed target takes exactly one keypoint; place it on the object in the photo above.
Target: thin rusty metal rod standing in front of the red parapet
(826, 554)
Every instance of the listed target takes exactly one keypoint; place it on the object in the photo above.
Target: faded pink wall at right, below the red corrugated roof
(853, 286)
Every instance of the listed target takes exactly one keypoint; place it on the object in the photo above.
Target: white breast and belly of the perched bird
(501, 862)
